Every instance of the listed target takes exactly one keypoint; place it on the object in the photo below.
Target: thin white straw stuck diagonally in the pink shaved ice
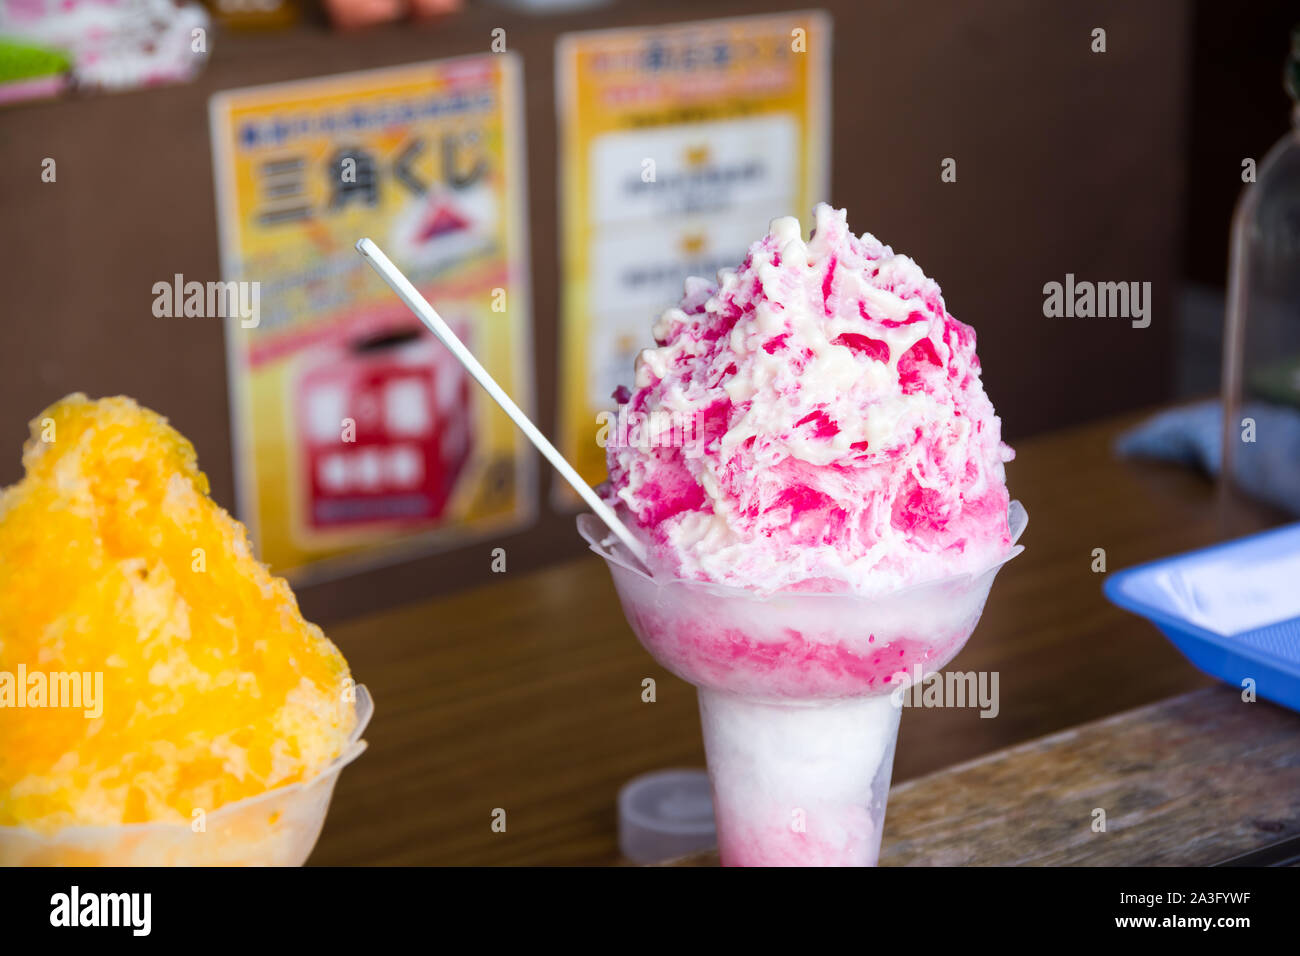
(426, 313)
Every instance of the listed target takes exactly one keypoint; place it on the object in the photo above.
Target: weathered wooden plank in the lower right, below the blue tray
(1186, 782)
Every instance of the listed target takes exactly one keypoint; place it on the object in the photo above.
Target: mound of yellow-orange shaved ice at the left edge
(115, 561)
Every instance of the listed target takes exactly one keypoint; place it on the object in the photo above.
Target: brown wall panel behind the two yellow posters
(1068, 162)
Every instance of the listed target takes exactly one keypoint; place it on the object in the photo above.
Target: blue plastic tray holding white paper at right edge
(1267, 652)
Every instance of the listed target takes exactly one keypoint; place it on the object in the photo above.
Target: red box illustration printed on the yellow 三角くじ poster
(385, 430)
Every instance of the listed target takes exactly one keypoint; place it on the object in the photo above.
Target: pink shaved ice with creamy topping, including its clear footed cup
(822, 527)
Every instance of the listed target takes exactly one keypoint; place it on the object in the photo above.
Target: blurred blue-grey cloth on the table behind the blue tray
(1268, 469)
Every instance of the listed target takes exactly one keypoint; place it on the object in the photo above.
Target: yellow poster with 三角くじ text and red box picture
(358, 436)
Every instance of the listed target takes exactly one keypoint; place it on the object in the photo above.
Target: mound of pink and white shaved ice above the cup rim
(838, 434)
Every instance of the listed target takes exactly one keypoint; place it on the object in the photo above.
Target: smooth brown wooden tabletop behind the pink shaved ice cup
(527, 697)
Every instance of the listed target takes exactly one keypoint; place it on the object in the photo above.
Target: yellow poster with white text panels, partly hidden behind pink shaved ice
(678, 146)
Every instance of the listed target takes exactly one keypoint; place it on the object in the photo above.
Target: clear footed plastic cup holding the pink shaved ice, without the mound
(798, 695)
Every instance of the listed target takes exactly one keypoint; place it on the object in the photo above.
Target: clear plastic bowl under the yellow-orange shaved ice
(275, 829)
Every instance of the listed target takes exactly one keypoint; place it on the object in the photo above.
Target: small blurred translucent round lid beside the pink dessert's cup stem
(666, 815)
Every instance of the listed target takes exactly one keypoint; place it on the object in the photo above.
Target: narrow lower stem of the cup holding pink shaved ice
(799, 784)
